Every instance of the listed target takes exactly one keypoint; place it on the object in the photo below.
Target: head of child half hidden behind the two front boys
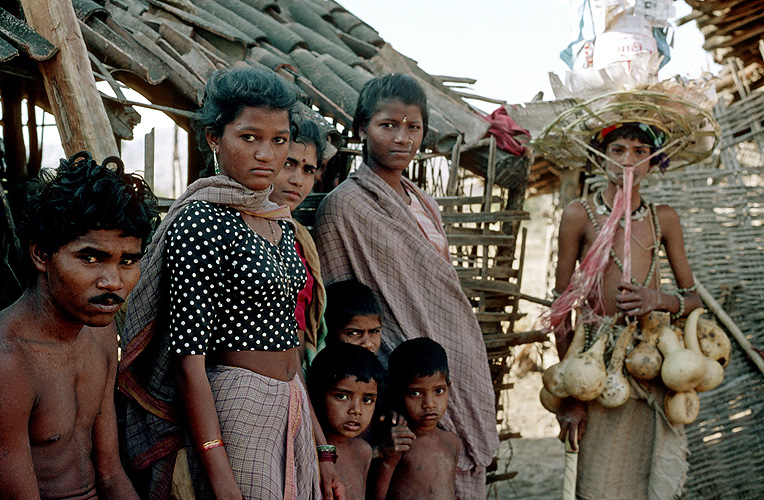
(353, 315)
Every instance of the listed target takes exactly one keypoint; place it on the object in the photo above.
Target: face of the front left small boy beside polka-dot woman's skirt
(349, 406)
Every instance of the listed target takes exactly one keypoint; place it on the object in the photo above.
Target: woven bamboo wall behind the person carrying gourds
(722, 212)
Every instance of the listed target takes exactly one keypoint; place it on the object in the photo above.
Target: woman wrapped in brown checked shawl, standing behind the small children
(380, 229)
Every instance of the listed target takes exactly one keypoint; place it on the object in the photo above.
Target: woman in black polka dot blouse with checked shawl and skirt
(210, 343)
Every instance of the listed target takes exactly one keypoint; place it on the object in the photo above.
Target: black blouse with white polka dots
(229, 288)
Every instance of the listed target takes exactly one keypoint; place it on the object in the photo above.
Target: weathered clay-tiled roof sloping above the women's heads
(166, 49)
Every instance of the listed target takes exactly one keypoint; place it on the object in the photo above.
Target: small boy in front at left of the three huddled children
(343, 382)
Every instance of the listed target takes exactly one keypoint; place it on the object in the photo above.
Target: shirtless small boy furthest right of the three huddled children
(419, 386)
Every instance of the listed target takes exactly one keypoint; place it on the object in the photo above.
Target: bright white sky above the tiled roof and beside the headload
(509, 46)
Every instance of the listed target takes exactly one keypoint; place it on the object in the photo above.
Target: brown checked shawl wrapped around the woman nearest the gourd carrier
(365, 231)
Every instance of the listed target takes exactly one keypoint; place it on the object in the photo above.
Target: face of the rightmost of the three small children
(425, 400)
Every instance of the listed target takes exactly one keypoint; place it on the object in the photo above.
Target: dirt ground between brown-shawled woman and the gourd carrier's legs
(538, 457)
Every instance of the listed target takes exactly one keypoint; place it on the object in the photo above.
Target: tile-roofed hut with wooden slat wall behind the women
(52, 52)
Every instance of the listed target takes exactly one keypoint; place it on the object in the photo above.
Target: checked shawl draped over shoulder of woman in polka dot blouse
(153, 435)
